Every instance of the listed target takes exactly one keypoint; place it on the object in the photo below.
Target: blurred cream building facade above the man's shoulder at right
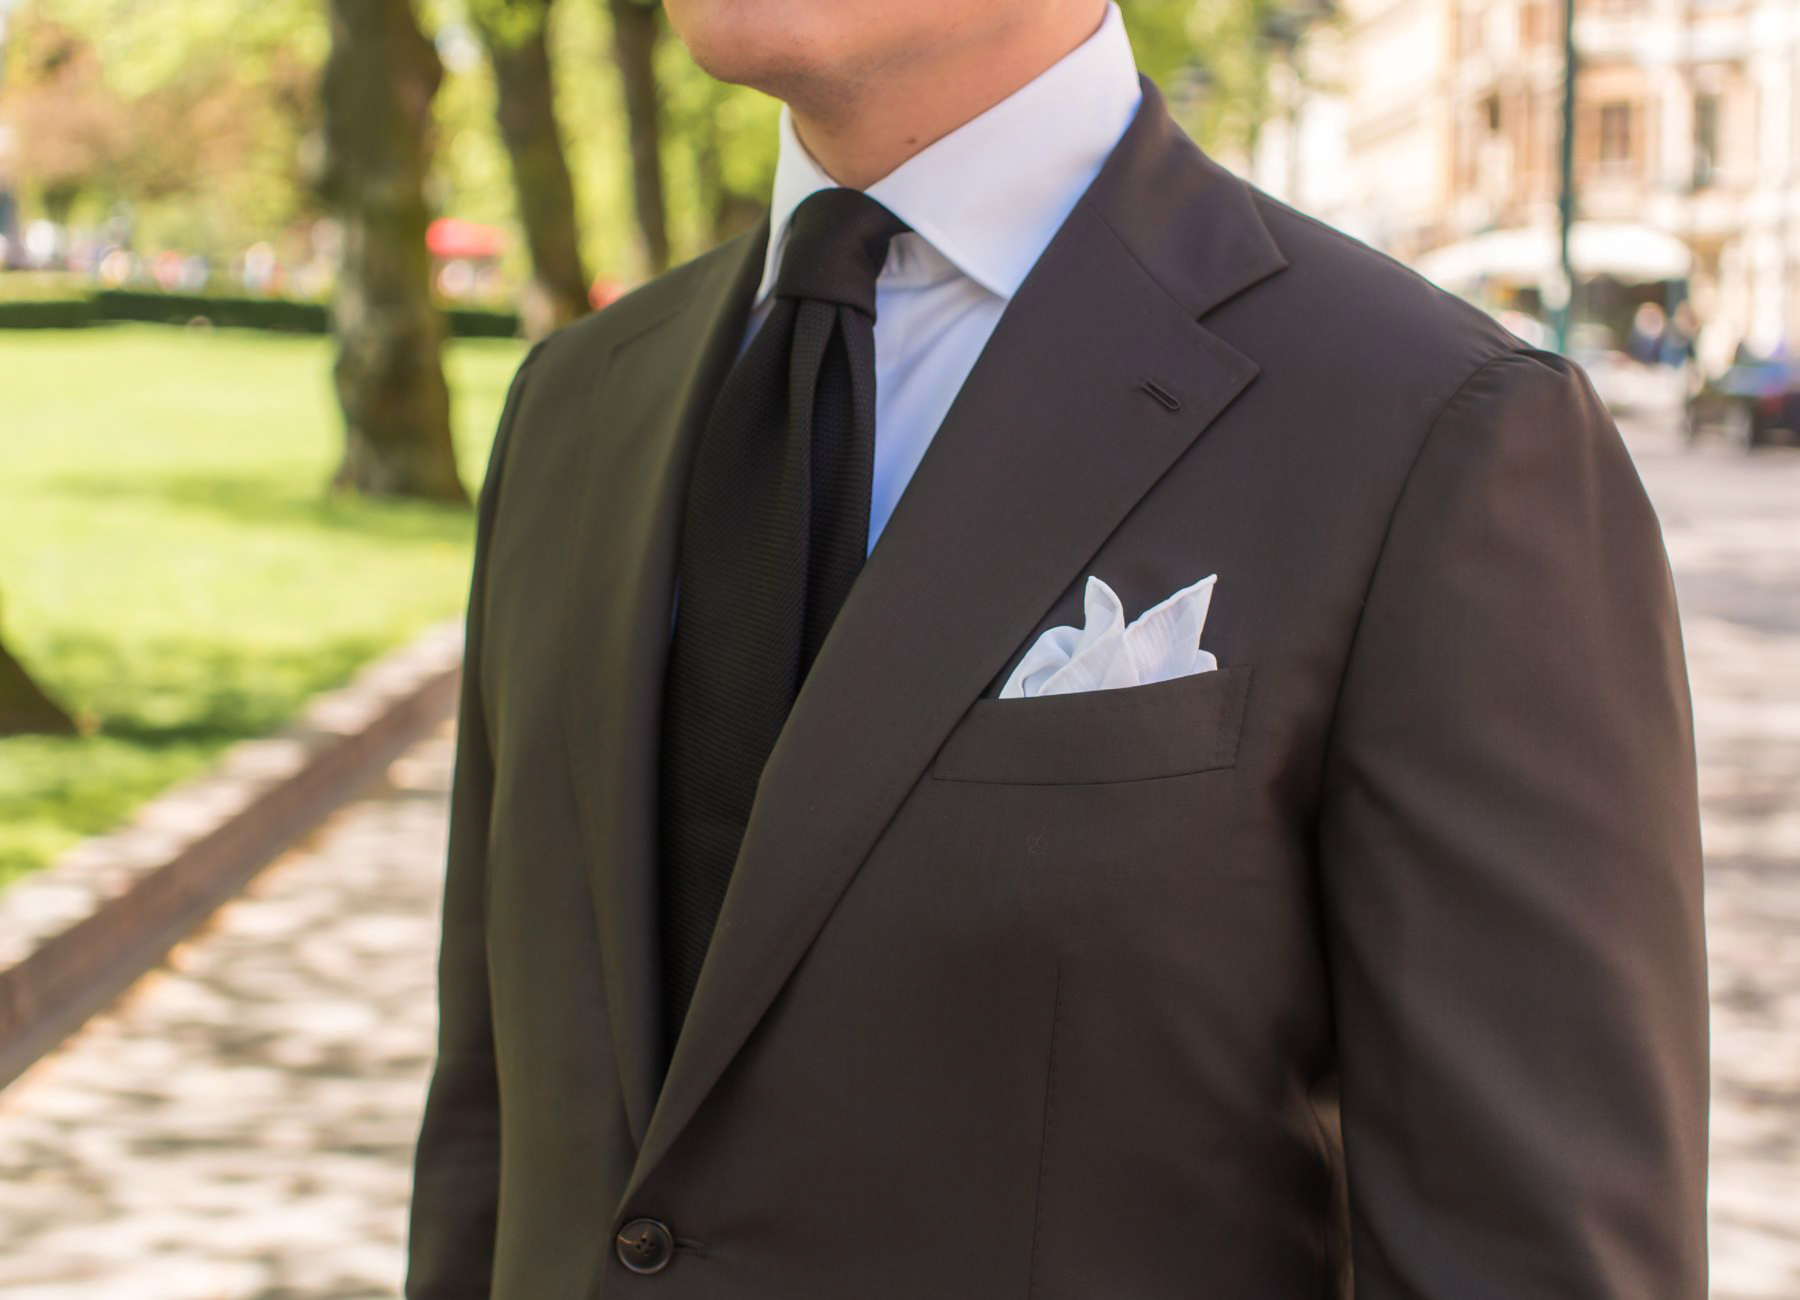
(1434, 131)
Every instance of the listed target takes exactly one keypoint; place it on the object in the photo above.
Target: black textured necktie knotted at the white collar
(775, 530)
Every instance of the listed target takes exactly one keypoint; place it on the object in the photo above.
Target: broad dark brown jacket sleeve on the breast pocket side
(1513, 878)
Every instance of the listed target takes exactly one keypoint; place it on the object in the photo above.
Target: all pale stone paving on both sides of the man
(238, 1128)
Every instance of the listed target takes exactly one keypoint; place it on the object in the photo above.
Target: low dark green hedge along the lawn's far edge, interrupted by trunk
(238, 312)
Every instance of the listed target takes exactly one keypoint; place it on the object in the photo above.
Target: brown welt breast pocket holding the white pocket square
(1133, 734)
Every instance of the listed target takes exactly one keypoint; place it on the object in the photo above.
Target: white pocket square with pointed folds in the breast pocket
(1110, 653)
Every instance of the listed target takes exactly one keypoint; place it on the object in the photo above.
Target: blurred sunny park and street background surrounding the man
(265, 273)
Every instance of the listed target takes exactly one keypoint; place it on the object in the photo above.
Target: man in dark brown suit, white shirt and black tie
(876, 871)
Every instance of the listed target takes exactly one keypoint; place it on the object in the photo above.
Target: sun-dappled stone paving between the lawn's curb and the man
(240, 1124)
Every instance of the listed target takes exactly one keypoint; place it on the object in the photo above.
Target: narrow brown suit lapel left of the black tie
(620, 579)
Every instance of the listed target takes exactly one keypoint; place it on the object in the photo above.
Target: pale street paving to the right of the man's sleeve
(1732, 527)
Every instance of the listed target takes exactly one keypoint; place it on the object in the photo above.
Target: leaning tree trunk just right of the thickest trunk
(516, 37)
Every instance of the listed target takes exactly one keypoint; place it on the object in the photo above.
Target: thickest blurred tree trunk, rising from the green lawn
(379, 87)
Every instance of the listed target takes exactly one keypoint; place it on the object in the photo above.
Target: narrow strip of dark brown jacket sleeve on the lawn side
(456, 1175)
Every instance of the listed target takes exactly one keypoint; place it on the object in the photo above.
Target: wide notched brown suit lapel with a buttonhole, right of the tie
(1050, 444)
